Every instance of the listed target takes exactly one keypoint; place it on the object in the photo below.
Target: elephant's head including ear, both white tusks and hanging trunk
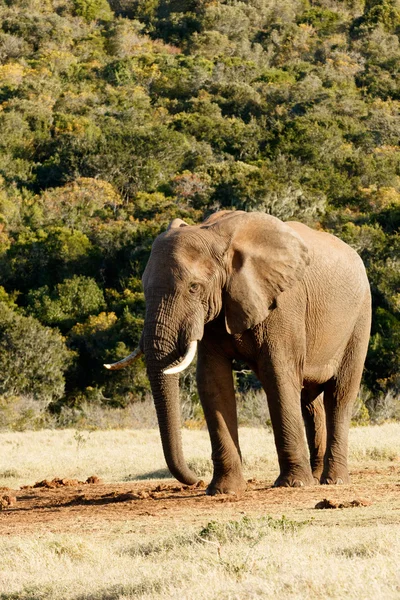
(234, 262)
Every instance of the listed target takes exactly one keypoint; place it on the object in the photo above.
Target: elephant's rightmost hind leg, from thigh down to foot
(339, 396)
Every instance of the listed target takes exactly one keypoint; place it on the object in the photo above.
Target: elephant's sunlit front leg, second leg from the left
(285, 410)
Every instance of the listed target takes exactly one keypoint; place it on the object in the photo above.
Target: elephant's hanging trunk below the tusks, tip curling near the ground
(165, 390)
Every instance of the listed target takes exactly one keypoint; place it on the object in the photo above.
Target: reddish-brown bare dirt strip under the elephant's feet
(69, 505)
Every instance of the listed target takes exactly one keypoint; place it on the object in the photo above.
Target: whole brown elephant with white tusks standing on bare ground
(293, 303)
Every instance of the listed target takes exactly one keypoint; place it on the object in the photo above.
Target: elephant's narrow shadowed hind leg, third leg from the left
(312, 407)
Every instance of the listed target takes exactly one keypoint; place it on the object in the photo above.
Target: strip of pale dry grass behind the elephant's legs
(124, 455)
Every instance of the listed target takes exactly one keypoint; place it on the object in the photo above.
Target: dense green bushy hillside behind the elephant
(117, 117)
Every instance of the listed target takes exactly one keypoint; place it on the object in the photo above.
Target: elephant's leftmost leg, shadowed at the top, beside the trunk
(217, 395)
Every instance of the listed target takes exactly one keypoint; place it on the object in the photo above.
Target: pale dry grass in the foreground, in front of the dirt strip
(313, 562)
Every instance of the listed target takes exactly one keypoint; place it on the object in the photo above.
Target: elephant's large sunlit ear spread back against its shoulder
(264, 258)
